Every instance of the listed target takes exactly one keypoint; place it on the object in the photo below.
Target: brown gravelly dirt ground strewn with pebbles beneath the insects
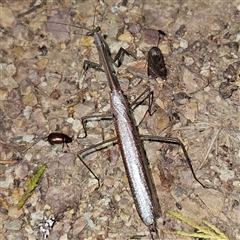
(44, 89)
